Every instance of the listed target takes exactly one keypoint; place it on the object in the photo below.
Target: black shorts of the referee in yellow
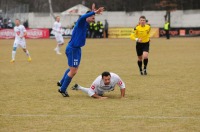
(141, 47)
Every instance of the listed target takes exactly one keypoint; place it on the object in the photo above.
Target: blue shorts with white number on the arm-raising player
(74, 56)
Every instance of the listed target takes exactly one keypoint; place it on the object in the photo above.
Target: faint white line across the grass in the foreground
(93, 116)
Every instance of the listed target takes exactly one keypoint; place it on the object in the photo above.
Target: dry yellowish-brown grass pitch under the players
(167, 99)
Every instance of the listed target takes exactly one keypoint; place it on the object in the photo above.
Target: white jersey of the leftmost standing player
(19, 33)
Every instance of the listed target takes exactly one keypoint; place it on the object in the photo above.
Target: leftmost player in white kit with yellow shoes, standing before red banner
(20, 33)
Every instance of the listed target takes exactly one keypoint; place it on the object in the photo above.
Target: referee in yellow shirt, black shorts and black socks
(141, 34)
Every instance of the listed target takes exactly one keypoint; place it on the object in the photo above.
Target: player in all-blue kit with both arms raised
(73, 49)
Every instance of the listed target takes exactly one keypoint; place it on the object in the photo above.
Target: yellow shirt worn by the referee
(141, 32)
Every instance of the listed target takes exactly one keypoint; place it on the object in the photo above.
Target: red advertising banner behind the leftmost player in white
(31, 33)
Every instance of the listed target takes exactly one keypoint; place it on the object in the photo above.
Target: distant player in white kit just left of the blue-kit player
(57, 30)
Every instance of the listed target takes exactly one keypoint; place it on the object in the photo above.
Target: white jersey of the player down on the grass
(99, 87)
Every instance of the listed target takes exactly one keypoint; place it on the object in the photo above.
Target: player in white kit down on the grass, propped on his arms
(103, 83)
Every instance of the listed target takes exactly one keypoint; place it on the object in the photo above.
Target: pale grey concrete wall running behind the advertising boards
(179, 18)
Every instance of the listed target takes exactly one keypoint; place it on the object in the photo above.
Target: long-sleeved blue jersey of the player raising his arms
(80, 31)
